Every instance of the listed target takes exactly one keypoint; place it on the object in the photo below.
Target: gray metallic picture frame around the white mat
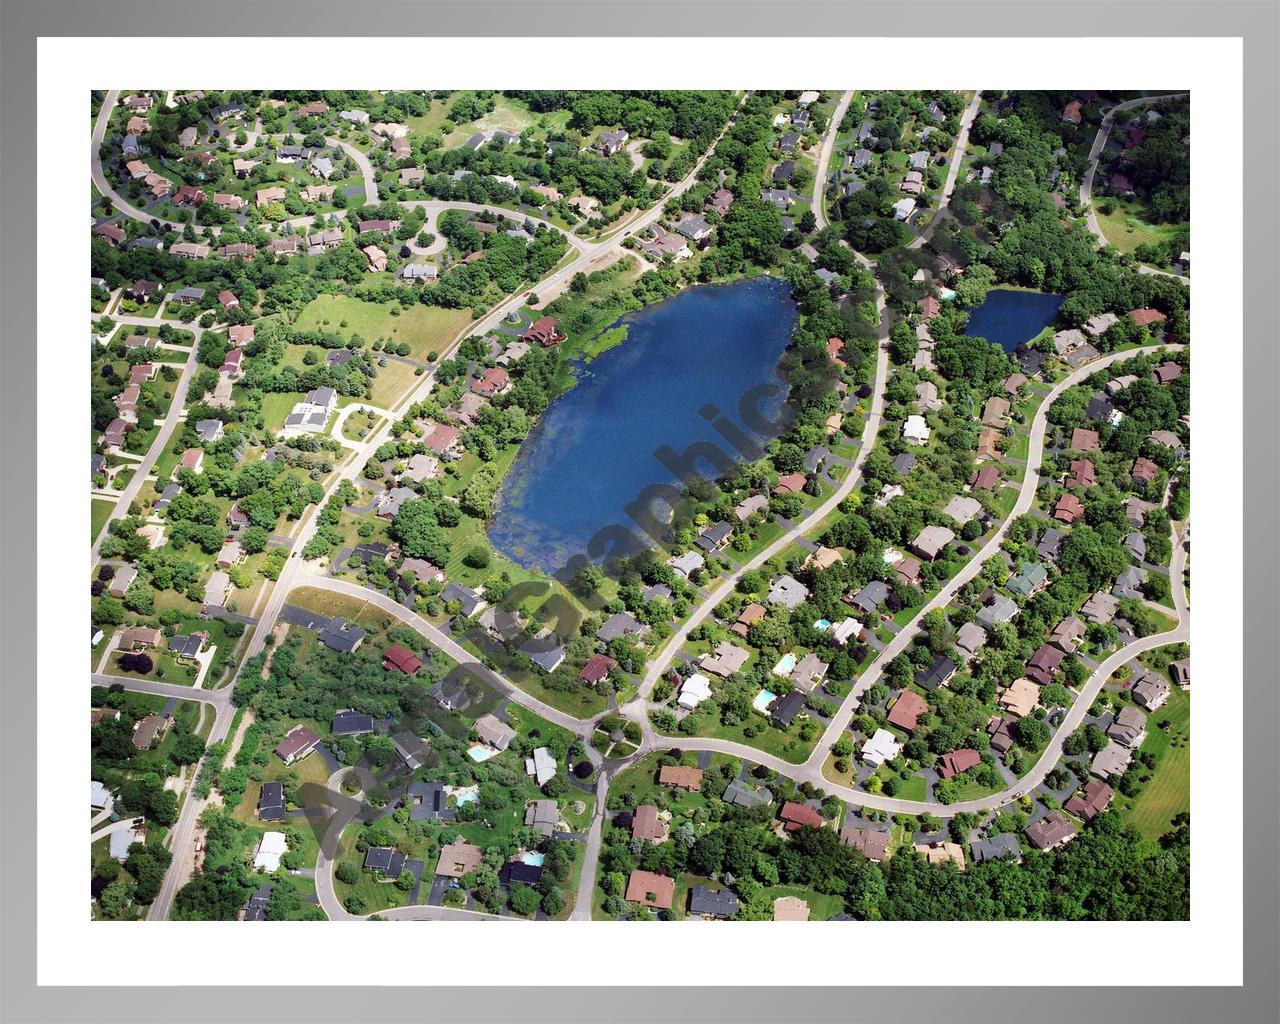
(1258, 1000)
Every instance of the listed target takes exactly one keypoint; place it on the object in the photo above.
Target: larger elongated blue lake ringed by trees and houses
(595, 451)
